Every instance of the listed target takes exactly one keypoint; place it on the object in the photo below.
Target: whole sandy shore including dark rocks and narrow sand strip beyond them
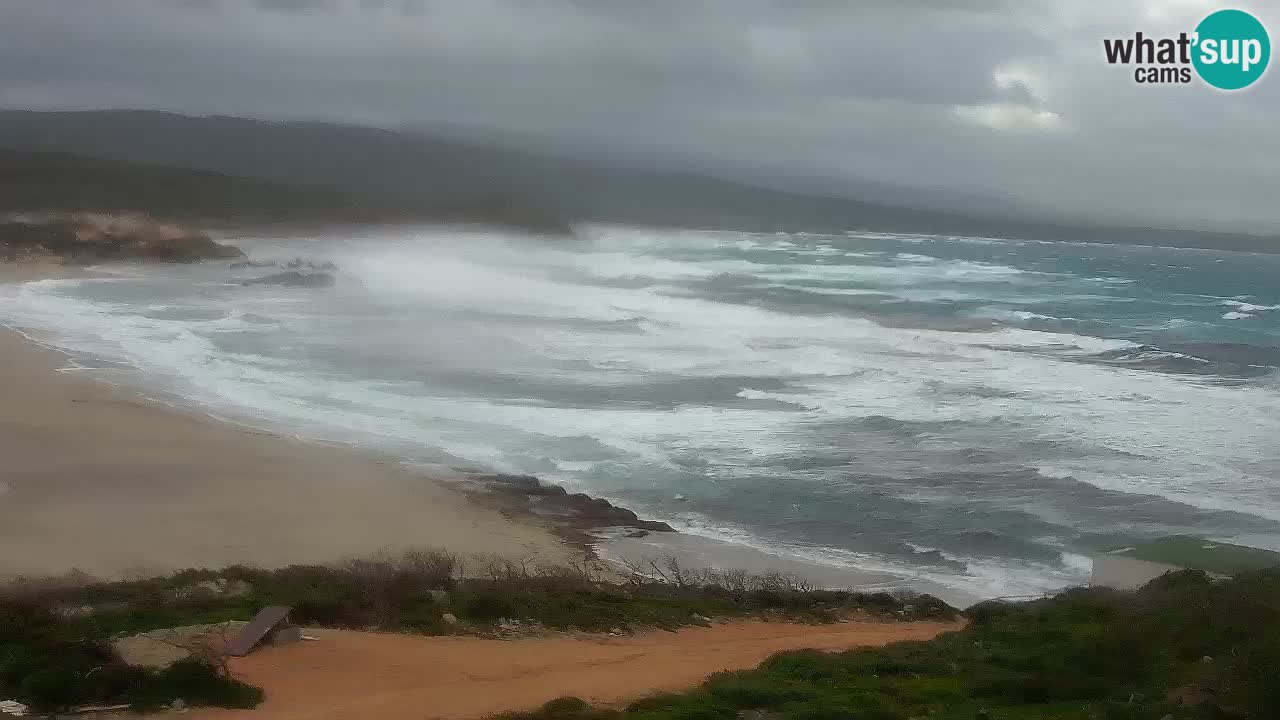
(243, 521)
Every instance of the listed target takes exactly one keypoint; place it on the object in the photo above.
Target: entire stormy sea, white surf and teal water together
(972, 412)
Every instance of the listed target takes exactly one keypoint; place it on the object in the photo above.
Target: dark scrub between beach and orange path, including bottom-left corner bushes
(56, 639)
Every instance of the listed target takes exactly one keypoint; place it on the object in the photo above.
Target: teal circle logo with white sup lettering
(1232, 49)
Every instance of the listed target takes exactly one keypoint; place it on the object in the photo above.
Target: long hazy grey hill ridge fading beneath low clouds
(446, 177)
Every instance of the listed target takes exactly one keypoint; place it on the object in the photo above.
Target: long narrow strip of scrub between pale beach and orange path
(417, 591)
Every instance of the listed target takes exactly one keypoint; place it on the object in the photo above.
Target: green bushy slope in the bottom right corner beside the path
(1183, 648)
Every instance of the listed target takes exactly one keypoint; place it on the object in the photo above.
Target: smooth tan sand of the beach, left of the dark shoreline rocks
(97, 479)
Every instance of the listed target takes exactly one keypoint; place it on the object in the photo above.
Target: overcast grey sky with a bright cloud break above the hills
(1009, 99)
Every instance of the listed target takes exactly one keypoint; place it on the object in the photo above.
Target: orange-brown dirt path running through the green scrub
(349, 675)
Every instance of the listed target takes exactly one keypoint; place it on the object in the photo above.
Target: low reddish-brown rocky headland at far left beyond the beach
(98, 238)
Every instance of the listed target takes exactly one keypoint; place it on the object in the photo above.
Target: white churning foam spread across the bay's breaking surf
(487, 304)
